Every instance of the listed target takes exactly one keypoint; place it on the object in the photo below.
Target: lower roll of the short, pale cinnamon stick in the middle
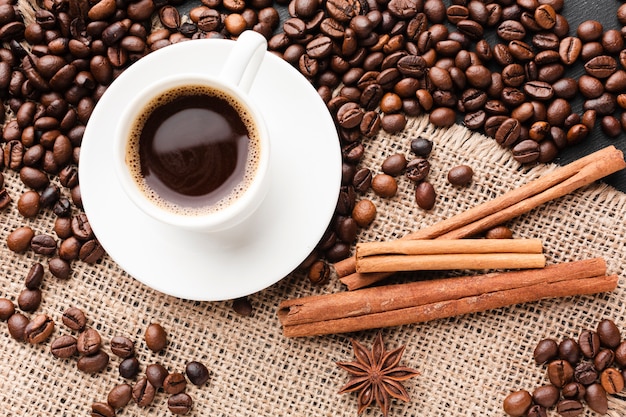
(395, 263)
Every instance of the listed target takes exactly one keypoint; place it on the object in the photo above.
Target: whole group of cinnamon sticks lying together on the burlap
(392, 305)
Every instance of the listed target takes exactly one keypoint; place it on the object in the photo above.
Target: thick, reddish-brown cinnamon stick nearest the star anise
(414, 302)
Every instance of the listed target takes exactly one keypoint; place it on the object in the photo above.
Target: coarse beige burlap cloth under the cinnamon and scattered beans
(468, 364)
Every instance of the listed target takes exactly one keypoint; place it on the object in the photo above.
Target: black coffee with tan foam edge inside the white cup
(193, 150)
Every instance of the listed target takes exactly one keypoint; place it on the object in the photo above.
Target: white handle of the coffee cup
(245, 59)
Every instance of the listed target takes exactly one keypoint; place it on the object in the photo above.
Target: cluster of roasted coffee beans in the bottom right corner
(583, 371)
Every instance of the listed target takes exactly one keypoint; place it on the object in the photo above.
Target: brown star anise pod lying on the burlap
(376, 375)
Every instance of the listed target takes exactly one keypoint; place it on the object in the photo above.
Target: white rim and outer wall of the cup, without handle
(241, 208)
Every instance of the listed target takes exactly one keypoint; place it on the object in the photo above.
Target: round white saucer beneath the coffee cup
(278, 236)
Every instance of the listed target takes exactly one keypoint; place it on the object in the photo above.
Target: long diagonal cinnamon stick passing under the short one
(550, 186)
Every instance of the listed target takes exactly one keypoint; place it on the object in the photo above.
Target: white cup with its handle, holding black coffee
(237, 201)
